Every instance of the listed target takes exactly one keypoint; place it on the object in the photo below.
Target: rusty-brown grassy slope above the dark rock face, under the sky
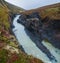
(52, 11)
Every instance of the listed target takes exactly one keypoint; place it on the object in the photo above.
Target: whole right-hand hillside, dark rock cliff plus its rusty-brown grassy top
(47, 28)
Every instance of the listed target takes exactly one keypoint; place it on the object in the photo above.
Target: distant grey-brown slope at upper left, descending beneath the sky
(12, 8)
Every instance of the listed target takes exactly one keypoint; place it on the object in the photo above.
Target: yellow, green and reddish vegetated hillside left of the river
(9, 48)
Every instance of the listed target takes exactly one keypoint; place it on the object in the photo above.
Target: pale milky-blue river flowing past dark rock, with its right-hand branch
(30, 47)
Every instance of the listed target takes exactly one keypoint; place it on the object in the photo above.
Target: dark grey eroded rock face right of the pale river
(44, 29)
